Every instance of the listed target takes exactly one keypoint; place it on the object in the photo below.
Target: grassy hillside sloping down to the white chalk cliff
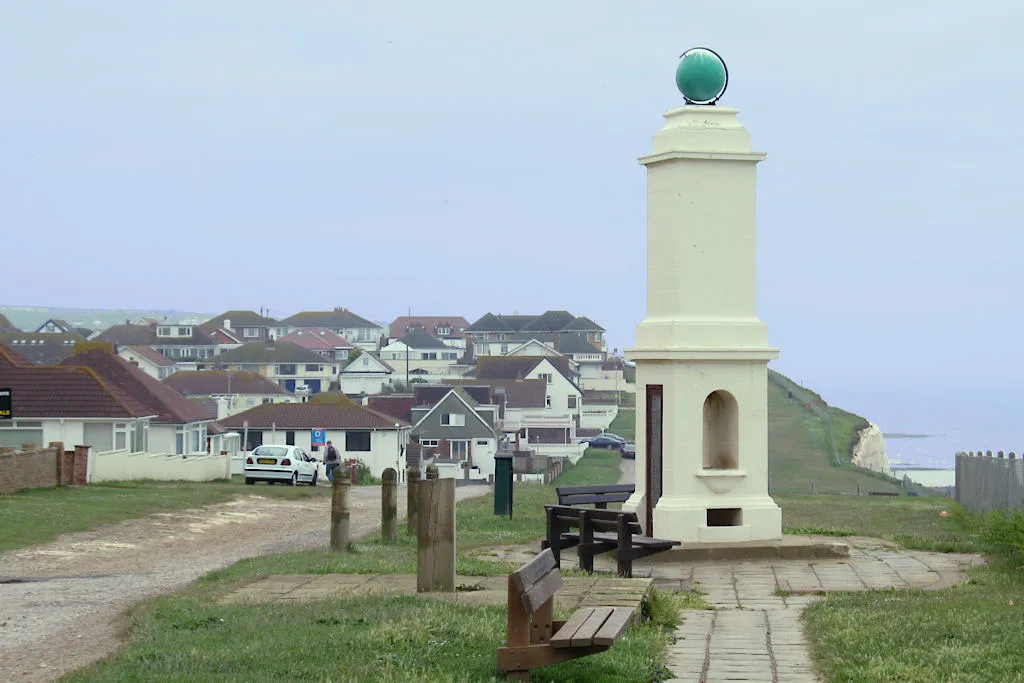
(799, 446)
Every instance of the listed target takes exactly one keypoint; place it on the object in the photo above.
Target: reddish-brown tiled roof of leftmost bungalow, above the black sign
(67, 393)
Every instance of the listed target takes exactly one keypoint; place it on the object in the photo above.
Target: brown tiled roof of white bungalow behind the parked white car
(312, 416)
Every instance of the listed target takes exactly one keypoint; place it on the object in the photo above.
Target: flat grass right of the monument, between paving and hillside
(913, 523)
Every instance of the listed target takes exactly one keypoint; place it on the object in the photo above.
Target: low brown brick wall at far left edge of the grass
(41, 468)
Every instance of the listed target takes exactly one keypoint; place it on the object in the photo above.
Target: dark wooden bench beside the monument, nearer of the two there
(593, 532)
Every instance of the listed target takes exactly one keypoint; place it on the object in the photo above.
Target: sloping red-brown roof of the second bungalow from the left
(161, 400)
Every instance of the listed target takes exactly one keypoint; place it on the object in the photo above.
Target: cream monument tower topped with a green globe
(702, 353)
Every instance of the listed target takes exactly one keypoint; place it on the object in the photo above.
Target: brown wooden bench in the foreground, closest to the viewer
(536, 639)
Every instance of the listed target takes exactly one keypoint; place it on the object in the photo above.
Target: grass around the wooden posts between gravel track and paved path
(192, 638)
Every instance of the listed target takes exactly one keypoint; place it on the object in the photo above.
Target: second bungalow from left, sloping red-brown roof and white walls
(179, 426)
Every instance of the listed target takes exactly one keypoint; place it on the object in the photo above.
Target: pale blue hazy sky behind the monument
(465, 157)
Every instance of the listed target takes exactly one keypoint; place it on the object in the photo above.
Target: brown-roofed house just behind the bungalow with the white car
(232, 392)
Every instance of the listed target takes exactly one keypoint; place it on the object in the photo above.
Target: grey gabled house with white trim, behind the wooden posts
(462, 438)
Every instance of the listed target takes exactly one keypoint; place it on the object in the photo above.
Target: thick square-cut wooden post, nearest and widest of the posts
(436, 536)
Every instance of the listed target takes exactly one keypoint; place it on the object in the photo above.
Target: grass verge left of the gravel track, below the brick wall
(37, 517)
